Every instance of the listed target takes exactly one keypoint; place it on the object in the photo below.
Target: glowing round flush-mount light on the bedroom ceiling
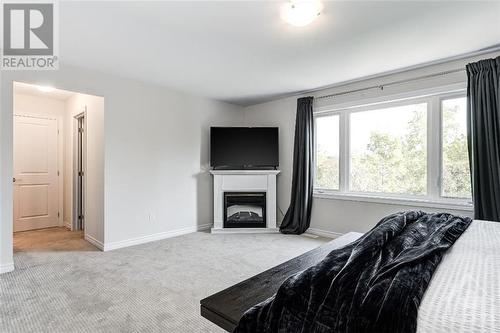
(300, 13)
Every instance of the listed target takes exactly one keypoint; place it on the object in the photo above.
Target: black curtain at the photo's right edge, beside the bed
(483, 127)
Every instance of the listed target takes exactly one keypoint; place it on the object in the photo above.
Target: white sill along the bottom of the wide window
(453, 204)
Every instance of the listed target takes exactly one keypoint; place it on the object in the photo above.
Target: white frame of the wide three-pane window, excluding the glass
(433, 198)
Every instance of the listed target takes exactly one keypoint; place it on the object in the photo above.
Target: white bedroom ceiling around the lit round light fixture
(241, 52)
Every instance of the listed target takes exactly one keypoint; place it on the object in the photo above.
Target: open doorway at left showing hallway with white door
(50, 169)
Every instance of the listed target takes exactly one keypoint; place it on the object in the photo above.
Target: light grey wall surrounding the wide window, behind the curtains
(334, 216)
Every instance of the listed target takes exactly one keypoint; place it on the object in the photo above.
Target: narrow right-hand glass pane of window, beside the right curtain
(455, 160)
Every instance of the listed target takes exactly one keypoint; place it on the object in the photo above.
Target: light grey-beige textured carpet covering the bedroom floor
(154, 287)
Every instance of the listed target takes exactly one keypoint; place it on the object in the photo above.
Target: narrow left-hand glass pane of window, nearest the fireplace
(327, 152)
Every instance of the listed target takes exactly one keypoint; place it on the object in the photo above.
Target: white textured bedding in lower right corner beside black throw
(464, 293)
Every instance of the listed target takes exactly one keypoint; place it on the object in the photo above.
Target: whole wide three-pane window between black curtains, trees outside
(412, 149)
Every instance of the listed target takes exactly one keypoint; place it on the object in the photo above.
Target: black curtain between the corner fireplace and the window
(298, 216)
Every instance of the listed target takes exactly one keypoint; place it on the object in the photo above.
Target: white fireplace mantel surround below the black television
(244, 181)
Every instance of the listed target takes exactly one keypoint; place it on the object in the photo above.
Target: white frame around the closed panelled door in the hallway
(60, 160)
